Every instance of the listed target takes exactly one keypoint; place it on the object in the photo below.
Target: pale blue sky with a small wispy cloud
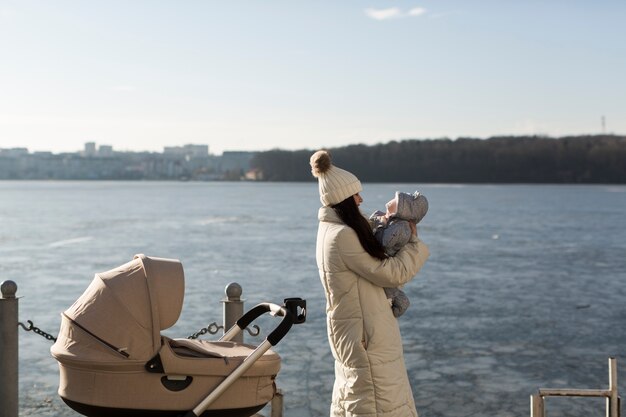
(305, 74)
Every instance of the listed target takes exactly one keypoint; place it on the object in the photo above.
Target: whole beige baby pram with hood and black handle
(114, 361)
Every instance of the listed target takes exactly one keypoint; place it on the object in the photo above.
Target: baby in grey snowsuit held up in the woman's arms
(392, 230)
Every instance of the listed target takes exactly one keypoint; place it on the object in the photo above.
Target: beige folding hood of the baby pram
(122, 312)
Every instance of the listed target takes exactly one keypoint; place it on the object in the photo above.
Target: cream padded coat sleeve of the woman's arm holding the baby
(390, 272)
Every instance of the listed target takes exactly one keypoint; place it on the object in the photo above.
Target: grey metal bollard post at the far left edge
(8, 350)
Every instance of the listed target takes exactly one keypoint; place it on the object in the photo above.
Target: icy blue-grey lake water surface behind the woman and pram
(525, 287)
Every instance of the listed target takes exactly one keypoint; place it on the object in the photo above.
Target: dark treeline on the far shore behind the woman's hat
(518, 159)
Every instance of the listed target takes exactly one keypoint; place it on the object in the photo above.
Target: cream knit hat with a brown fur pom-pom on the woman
(335, 184)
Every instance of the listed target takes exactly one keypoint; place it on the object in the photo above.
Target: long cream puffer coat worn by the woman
(364, 337)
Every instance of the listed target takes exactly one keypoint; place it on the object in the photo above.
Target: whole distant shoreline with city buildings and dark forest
(598, 159)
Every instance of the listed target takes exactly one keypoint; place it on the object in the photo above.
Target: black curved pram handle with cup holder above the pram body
(289, 311)
